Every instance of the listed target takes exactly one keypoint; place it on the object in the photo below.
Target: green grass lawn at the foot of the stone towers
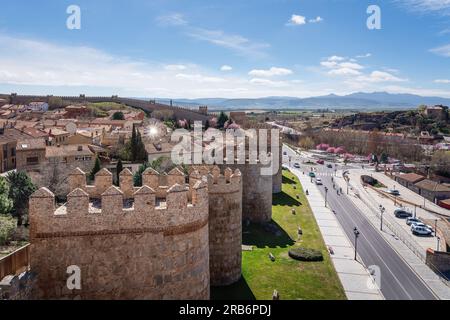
(293, 280)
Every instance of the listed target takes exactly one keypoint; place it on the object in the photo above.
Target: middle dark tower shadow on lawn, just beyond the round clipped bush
(269, 235)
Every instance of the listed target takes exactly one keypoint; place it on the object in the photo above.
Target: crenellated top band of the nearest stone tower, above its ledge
(181, 208)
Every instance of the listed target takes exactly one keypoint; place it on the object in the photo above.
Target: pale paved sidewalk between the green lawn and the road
(356, 280)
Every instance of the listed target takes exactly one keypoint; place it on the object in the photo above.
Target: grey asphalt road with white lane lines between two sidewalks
(398, 281)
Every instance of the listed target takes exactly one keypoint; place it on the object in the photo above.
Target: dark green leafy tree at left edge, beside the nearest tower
(20, 189)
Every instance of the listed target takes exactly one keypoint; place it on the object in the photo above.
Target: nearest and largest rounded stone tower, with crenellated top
(156, 249)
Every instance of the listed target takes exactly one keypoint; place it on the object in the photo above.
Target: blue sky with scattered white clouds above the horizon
(234, 49)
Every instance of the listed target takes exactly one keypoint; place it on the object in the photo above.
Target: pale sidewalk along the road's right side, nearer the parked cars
(439, 288)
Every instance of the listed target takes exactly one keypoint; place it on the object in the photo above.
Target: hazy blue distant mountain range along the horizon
(358, 101)
